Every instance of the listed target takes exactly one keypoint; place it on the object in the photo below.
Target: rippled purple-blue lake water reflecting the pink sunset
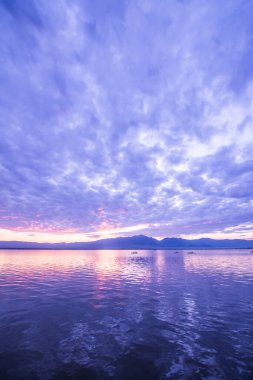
(115, 315)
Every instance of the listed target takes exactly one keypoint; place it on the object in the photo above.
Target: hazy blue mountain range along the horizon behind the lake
(134, 242)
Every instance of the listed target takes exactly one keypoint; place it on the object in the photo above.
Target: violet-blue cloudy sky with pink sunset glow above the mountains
(126, 117)
